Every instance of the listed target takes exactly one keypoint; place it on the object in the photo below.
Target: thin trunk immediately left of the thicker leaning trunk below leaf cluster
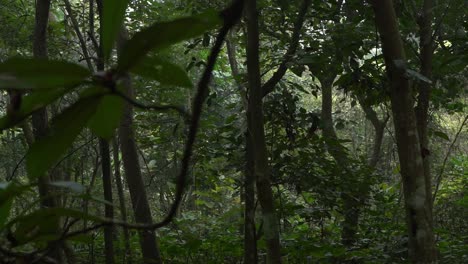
(123, 208)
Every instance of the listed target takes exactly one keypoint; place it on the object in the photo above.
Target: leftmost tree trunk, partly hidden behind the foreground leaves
(40, 119)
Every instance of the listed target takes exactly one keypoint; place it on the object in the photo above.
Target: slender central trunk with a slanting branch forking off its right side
(257, 135)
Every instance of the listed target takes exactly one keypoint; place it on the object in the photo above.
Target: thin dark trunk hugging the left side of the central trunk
(250, 240)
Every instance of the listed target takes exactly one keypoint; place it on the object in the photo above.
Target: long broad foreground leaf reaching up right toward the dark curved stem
(162, 35)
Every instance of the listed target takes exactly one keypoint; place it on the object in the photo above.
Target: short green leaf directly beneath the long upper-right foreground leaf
(163, 71)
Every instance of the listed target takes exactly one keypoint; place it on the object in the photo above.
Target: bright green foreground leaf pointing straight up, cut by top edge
(112, 21)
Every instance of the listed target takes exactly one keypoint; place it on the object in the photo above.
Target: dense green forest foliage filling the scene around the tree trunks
(166, 52)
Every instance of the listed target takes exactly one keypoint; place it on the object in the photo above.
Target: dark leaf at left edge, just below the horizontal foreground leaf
(30, 104)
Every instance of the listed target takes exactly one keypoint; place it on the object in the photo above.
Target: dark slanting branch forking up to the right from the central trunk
(293, 45)
